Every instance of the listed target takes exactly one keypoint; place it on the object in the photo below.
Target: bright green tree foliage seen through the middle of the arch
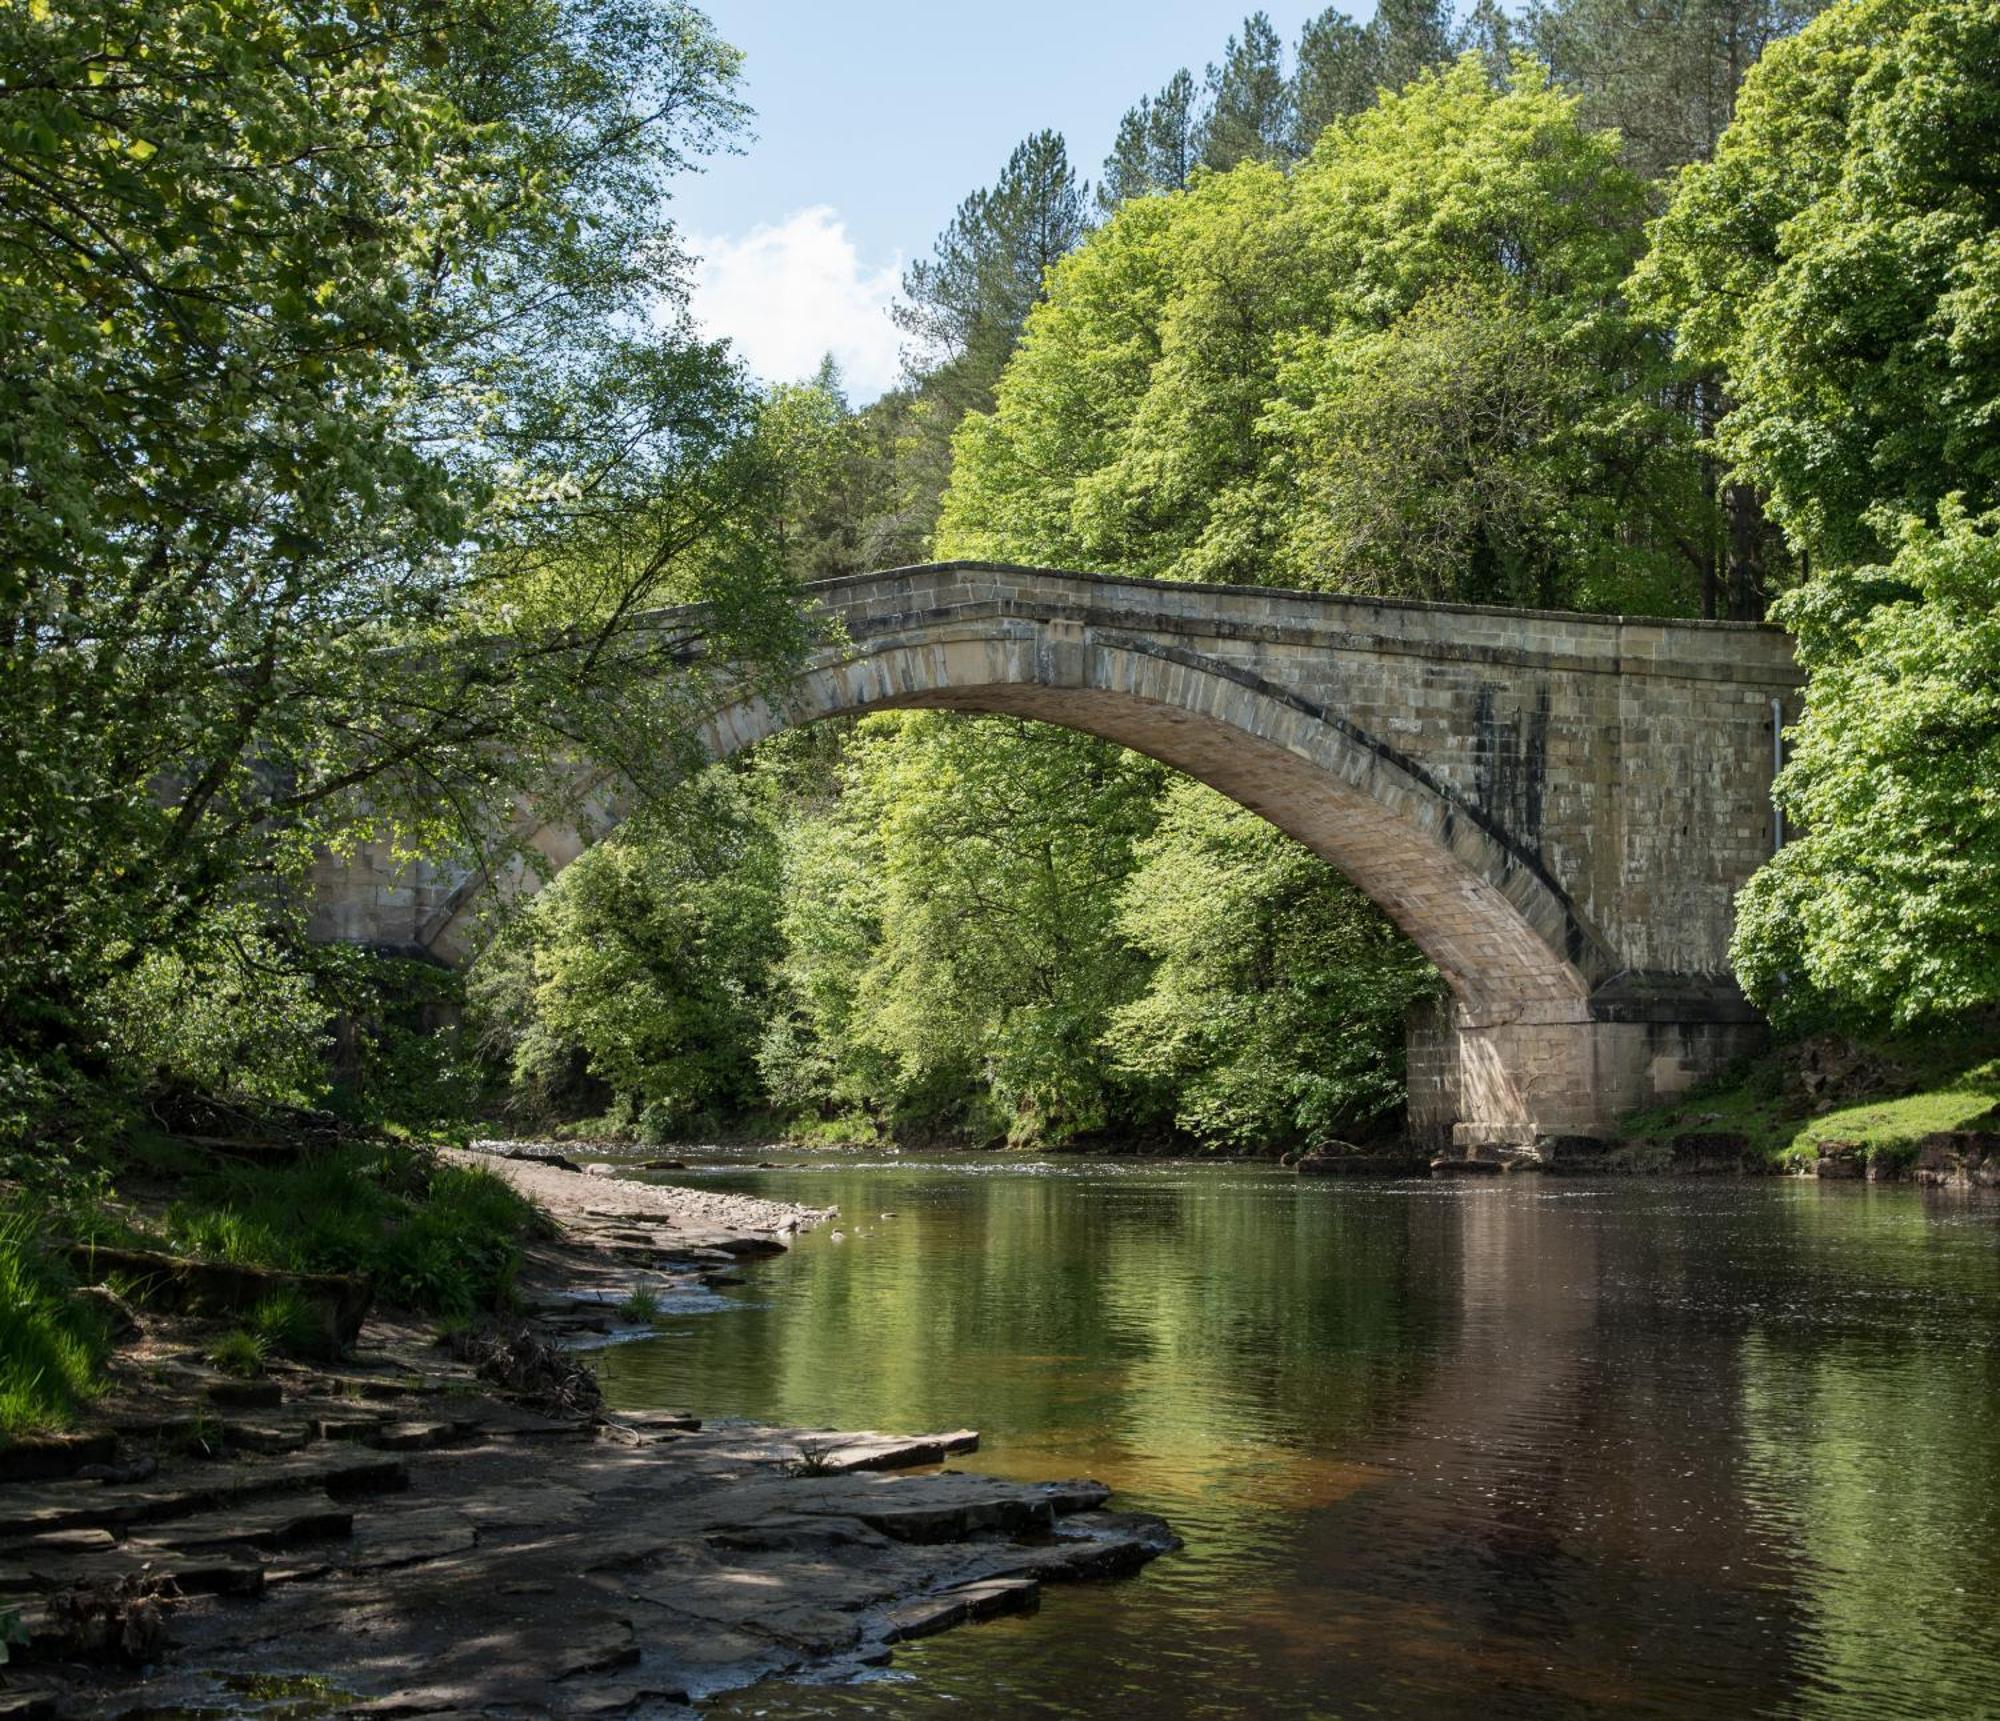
(951, 938)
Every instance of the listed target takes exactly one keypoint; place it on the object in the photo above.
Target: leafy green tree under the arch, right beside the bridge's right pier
(1277, 1010)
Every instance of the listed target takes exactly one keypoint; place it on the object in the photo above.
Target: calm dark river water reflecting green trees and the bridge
(1439, 1450)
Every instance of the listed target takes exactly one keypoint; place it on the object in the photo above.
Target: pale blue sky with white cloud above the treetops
(875, 119)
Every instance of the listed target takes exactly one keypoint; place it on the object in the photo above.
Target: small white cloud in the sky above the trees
(793, 293)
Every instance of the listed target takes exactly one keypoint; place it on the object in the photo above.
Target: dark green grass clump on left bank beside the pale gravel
(441, 1240)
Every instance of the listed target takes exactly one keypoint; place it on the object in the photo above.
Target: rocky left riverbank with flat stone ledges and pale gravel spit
(461, 1528)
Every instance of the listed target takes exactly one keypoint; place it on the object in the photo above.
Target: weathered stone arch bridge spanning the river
(1559, 809)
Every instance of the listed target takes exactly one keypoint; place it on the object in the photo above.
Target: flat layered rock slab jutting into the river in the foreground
(563, 1580)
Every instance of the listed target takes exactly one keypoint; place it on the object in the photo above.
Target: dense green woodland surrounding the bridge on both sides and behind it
(353, 415)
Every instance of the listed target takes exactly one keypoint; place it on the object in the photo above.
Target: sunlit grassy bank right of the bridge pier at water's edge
(1883, 1096)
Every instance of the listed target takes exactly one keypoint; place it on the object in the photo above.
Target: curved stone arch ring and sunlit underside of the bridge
(1503, 936)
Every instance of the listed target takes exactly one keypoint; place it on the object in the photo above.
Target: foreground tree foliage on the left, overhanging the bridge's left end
(343, 463)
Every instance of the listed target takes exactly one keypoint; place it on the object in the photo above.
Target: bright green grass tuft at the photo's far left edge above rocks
(51, 1346)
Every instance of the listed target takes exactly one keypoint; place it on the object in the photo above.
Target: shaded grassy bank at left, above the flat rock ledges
(433, 1238)
